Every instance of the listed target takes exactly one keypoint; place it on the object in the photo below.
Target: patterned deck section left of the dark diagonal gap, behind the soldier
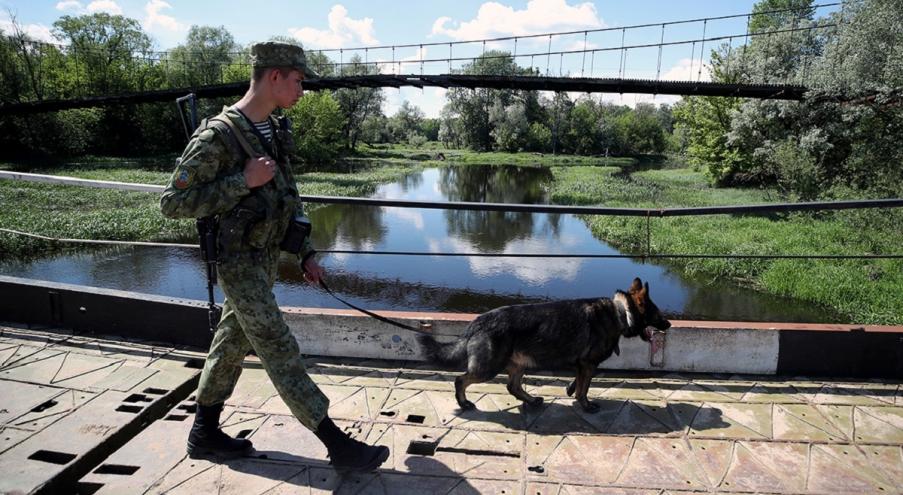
(67, 401)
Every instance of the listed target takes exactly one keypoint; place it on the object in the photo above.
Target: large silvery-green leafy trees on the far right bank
(813, 148)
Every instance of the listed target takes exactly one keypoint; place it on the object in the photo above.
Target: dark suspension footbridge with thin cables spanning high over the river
(627, 59)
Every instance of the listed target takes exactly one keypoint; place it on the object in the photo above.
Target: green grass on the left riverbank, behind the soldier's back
(86, 213)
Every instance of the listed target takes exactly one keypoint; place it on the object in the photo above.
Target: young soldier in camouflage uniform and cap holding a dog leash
(236, 167)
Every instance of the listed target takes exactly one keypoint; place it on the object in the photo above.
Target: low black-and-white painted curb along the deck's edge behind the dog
(689, 346)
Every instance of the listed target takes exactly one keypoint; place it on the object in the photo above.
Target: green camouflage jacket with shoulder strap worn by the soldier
(209, 180)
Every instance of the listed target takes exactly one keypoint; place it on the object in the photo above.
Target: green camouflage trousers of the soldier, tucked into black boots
(252, 320)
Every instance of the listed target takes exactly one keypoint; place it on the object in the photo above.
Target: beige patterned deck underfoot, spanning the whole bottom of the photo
(654, 434)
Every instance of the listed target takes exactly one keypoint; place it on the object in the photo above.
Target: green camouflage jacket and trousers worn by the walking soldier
(209, 180)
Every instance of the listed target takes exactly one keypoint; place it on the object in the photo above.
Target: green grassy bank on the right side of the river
(866, 291)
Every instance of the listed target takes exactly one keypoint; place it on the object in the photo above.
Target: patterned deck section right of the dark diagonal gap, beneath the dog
(665, 435)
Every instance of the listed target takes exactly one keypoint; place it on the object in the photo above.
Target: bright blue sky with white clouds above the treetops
(373, 23)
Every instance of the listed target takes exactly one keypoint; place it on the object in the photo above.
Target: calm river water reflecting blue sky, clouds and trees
(462, 284)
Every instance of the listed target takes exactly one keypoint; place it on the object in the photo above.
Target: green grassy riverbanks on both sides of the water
(867, 291)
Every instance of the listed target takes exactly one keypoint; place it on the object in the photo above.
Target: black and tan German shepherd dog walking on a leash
(578, 332)
